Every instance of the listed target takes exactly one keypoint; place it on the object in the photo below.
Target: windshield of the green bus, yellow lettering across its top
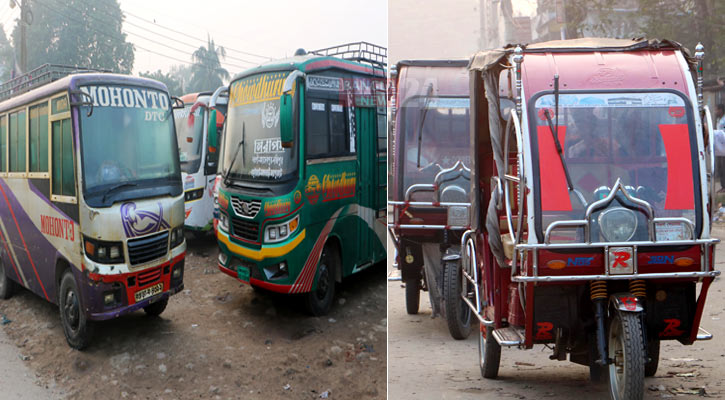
(252, 143)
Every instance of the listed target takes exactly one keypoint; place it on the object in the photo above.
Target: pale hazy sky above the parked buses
(166, 32)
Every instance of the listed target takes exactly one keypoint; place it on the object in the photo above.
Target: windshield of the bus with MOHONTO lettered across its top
(128, 142)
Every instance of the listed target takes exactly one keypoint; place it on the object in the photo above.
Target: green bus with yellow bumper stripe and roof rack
(303, 167)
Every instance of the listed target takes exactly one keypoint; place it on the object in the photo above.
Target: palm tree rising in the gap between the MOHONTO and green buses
(207, 71)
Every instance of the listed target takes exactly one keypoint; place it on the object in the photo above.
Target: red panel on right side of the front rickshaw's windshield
(680, 188)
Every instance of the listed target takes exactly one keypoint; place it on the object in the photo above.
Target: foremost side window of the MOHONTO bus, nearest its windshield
(63, 182)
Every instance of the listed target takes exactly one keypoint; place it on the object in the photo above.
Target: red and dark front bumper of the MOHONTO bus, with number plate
(124, 287)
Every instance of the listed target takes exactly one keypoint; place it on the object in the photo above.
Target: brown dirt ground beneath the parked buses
(217, 339)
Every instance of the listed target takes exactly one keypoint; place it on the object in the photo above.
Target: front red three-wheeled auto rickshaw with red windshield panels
(591, 201)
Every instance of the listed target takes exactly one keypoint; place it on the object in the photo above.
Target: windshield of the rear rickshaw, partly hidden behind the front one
(437, 136)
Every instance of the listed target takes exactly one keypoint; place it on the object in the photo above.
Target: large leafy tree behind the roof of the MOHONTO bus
(86, 33)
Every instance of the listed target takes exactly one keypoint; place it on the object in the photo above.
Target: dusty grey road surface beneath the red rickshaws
(426, 363)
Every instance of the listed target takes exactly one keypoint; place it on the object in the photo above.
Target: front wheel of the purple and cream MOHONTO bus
(77, 328)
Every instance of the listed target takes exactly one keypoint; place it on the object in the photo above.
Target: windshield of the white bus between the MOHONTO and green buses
(189, 138)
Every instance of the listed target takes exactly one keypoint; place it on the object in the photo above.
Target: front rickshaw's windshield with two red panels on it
(643, 139)
